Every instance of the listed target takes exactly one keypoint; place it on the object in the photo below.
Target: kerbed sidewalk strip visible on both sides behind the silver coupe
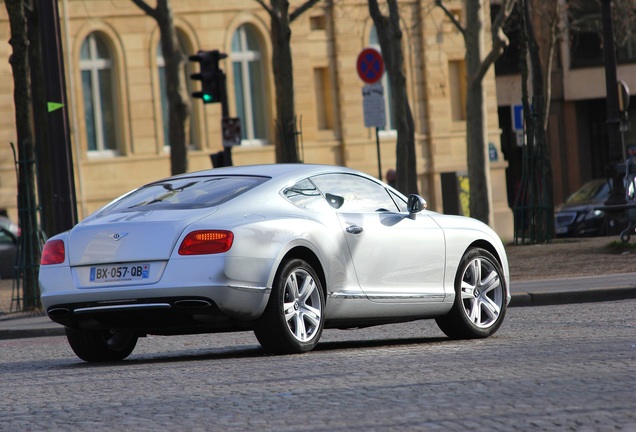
(524, 293)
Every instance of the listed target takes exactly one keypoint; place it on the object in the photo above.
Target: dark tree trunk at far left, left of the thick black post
(29, 251)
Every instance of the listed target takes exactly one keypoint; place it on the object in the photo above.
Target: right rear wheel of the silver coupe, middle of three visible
(294, 317)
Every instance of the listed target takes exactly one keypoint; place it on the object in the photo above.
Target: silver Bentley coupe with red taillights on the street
(282, 250)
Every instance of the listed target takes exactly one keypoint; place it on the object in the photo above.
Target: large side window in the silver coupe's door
(354, 194)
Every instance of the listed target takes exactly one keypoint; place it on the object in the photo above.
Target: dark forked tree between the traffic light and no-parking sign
(282, 66)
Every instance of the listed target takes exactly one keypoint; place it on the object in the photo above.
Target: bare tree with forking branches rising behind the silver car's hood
(477, 64)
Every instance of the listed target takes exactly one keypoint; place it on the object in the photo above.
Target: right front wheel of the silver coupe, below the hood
(480, 298)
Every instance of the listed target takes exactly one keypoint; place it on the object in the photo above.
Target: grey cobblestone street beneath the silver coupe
(557, 368)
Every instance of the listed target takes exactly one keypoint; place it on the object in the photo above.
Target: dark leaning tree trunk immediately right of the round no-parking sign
(390, 38)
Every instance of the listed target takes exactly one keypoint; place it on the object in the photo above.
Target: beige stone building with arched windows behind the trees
(117, 103)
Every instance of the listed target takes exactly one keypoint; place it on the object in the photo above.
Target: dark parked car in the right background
(579, 215)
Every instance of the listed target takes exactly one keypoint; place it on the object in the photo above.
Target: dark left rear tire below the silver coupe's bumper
(101, 345)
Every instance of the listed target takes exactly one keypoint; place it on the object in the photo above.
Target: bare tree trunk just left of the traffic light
(178, 100)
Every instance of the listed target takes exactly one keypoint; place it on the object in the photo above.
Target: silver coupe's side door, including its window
(396, 258)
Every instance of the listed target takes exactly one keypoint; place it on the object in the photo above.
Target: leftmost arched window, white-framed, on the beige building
(96, 66)
